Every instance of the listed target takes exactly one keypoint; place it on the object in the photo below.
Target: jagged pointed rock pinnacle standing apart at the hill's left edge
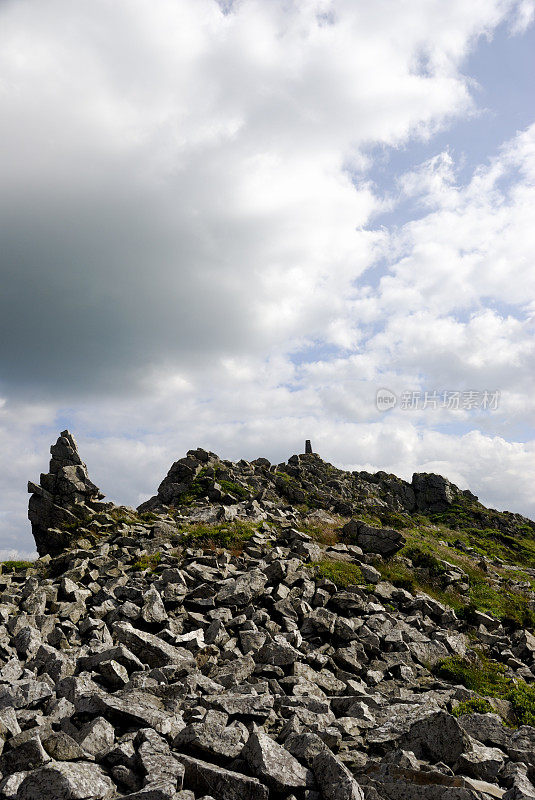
(64, 497)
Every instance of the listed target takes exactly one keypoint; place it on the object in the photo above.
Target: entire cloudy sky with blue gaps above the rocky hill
(232, 224)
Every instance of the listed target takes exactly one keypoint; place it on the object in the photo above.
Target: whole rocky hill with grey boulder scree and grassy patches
(260, 631)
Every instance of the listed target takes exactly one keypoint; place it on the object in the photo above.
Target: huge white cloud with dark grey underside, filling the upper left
(173, 182)
